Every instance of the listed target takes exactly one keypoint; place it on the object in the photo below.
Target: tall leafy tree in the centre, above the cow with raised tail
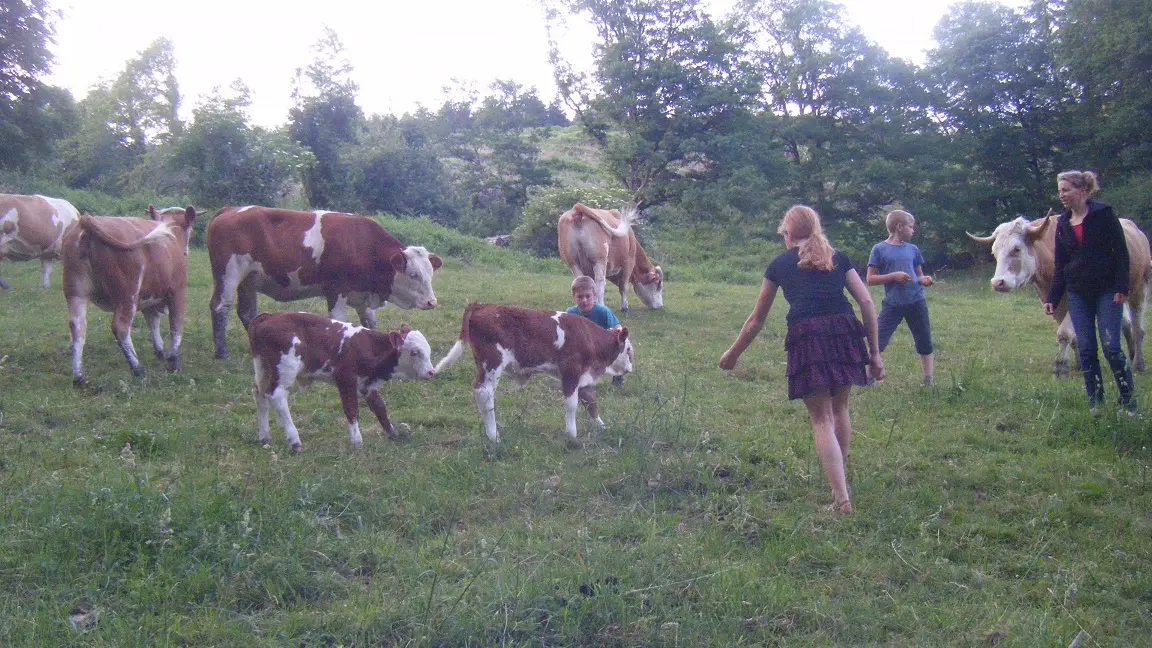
(668, 80)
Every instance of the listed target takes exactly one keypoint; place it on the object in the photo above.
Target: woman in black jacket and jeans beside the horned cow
(1092, 266)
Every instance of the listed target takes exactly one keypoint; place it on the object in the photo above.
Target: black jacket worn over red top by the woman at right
(1097, 267)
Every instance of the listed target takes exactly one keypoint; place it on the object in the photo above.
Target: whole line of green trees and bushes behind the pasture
(702, 120)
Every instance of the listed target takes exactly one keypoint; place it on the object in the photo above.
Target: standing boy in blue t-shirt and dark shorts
(897, 265)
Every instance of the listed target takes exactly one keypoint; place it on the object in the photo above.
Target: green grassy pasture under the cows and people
(991, 510)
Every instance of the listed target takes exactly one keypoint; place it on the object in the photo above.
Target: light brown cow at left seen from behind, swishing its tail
(124, 265)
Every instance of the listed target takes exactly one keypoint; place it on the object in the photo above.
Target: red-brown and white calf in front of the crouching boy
(574, 350)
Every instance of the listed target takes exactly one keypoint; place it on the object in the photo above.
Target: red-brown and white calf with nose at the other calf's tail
(291, 349)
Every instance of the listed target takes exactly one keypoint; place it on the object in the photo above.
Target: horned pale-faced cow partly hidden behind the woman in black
(1026, 253)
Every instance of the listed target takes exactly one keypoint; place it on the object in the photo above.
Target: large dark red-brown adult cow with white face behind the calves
(291, 255)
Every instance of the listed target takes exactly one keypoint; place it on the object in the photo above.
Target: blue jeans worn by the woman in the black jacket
(1088, 313)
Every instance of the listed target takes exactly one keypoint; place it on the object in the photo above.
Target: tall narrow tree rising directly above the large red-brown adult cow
(328, 120)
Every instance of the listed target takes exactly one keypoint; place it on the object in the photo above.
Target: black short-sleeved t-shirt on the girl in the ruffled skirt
(810, 292)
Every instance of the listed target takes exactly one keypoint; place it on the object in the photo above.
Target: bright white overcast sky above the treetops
(404, 52)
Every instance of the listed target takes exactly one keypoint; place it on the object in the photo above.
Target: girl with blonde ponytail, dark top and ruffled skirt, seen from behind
(825, 342)
